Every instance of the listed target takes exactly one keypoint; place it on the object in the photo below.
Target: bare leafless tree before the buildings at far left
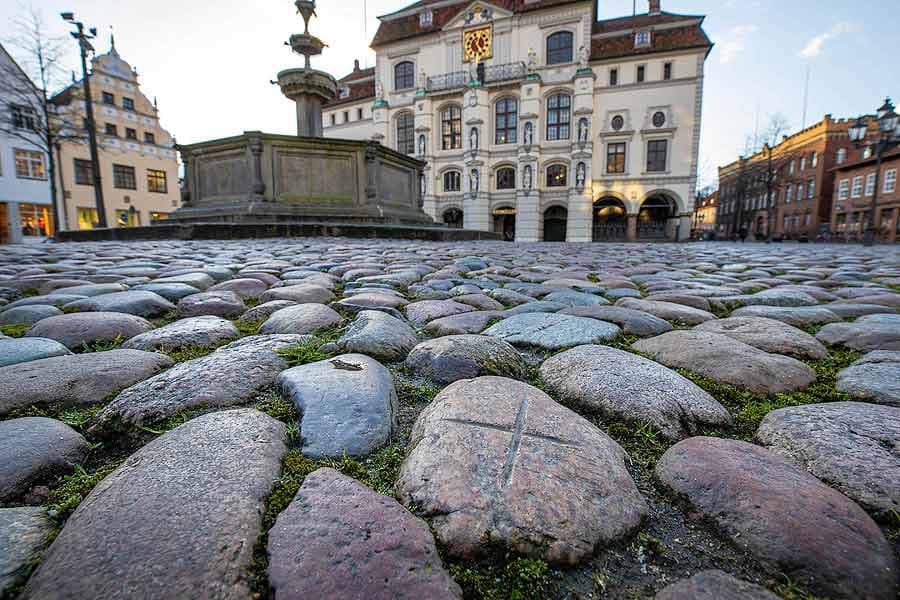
(27, 113)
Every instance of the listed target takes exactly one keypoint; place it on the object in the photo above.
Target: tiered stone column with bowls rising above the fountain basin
(307, 87)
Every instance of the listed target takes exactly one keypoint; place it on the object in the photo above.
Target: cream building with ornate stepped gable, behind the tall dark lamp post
(138, 165)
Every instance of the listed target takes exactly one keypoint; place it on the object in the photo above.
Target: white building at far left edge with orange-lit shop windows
(25, 201)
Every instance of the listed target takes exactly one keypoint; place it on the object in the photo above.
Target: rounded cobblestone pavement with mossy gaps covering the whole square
(336, 418)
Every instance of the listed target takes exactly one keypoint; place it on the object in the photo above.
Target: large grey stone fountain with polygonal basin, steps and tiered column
(261, 185)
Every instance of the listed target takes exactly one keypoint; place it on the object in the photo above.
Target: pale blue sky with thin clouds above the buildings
(210, 63)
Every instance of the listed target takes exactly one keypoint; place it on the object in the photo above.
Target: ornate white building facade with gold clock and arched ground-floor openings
(535, 119)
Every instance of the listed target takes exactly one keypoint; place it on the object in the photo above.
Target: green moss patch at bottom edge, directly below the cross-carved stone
(510, 579)
